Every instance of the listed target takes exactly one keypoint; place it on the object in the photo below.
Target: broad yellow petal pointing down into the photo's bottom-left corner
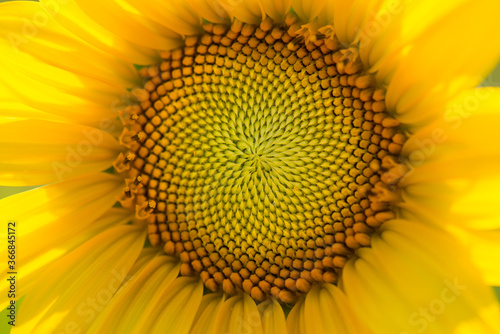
(75, 288)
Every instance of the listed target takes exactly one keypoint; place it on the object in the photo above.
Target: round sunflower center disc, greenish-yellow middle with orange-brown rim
(262, 157)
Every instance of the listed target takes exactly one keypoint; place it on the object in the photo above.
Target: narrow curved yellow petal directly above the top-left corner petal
(71, 16)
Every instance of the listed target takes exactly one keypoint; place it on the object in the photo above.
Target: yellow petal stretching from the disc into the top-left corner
(58, 47)
